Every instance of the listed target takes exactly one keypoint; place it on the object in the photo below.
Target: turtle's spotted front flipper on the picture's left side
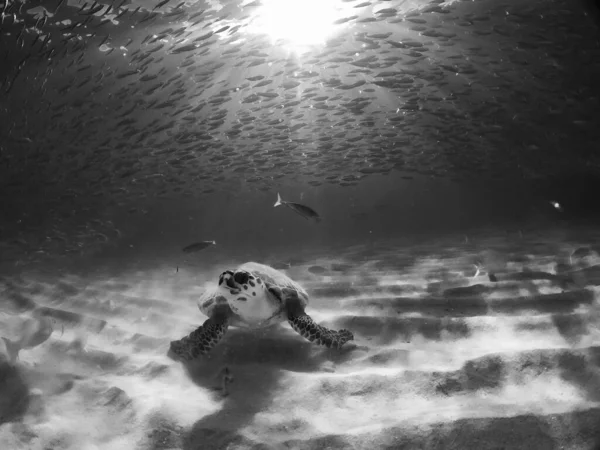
(201, 340)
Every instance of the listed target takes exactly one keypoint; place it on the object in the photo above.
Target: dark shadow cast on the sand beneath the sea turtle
(256, 359)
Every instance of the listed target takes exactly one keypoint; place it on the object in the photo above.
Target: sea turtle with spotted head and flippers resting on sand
(253, 296)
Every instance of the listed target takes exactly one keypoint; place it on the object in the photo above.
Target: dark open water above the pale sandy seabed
(409, 117)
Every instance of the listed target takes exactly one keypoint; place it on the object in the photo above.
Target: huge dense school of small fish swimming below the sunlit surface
(122, 101)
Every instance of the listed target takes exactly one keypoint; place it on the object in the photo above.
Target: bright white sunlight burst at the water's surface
(300, 23)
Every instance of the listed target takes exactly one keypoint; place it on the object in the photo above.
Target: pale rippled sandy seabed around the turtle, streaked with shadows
(443, 358)
